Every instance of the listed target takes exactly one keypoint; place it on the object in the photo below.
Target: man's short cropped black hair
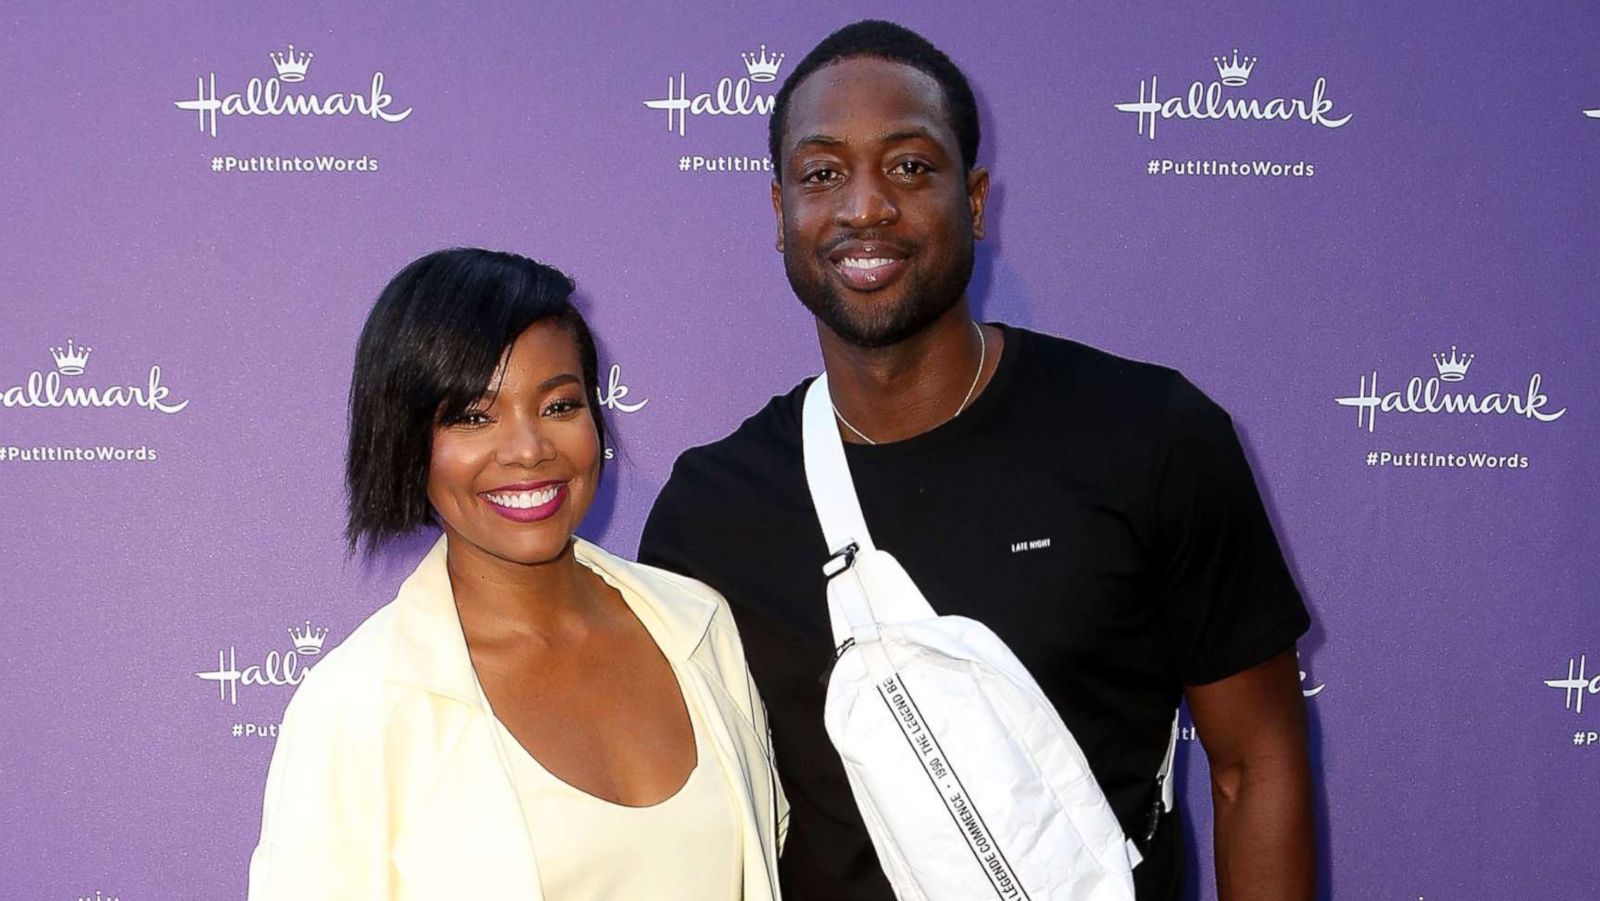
(878, 39)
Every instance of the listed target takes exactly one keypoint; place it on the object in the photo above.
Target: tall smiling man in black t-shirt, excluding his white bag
(1098, 515)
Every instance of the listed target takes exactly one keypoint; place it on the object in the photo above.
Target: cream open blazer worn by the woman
(388, 780)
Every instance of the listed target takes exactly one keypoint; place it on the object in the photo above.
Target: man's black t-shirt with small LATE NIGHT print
(1095, 513)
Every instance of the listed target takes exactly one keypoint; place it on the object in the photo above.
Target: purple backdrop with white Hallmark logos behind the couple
(1393, 193)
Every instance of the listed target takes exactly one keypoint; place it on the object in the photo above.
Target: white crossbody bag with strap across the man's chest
(969, 782)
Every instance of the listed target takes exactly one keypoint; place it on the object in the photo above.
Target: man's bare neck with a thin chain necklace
(910, 388)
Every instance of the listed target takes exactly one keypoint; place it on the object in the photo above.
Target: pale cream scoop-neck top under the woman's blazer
(687, 847)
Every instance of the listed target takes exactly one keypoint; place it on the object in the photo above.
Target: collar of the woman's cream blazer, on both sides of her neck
(430, 651)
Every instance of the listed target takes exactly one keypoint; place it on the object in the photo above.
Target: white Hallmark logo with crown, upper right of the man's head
(1206, 102)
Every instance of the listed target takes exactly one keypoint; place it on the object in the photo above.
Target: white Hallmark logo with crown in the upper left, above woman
(265, 97)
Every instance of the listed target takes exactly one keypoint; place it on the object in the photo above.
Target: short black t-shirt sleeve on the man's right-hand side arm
(1228, 598)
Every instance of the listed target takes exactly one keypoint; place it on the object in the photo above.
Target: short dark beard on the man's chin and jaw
(924, 298)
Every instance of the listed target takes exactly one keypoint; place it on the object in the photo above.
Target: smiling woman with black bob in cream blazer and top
(530, 718)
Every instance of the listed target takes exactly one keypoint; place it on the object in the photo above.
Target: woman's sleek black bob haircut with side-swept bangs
(430, 348)
